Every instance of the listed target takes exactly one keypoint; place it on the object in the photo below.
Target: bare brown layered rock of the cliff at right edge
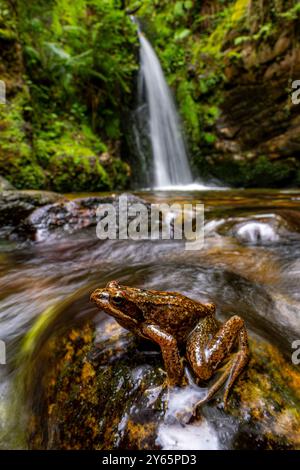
(258, 118)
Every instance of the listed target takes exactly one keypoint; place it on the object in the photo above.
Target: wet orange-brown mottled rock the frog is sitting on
(106, 390)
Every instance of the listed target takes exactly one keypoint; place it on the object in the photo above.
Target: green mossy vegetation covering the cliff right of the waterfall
(202, 45)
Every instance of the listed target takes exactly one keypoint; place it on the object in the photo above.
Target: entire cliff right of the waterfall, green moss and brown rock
(232, 65)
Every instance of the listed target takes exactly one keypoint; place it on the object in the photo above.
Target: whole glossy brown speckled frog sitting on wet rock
(178, 323)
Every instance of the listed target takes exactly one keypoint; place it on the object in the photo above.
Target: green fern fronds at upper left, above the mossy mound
(82, 51)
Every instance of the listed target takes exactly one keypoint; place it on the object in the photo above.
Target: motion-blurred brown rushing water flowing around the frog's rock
(250, 265)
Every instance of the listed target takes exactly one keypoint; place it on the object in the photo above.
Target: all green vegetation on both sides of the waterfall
(70, 69)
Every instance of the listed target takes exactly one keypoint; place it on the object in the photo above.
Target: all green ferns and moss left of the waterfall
(69, 86)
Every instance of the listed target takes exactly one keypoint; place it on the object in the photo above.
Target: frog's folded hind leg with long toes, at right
(209, 345)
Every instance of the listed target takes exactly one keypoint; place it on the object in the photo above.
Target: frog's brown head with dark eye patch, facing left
(121, 302)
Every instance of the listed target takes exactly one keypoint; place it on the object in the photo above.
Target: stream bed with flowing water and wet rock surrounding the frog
(75, 379)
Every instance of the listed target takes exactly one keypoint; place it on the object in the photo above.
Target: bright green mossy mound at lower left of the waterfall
(75, 153)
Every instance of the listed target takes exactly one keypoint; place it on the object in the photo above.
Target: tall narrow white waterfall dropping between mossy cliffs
(170, 160)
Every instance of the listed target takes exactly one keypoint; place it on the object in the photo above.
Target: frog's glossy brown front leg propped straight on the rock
(170, 352)
